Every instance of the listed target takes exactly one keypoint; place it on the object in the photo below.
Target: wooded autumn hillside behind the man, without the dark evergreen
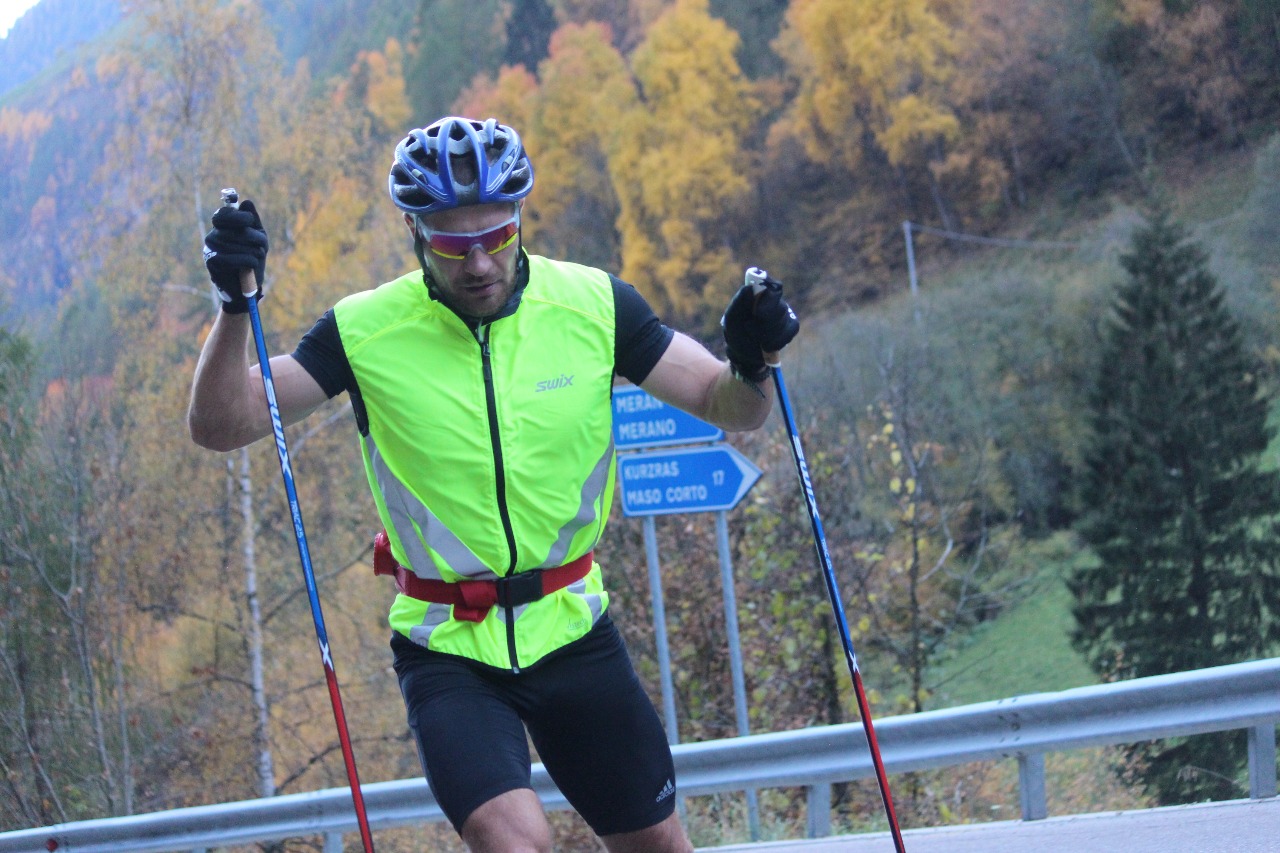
(156, 622)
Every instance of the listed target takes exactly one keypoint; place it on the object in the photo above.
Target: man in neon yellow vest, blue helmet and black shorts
(482, 391)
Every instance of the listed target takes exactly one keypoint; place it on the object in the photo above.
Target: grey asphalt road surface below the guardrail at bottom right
(1238, 827)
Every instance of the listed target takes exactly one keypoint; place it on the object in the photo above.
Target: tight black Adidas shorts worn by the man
(593, 726)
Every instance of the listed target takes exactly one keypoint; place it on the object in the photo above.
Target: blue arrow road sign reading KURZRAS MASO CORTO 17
(687, 480)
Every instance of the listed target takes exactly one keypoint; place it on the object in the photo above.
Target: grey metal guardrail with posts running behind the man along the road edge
(1241, 696)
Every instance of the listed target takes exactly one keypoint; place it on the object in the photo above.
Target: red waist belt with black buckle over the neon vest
(472, 600)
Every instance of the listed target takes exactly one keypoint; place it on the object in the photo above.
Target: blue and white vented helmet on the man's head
(426, 176)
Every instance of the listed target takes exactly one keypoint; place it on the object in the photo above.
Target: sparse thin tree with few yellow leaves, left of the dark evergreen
(935, 549)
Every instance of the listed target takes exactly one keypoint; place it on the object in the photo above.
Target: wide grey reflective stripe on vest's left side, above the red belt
(409, 516)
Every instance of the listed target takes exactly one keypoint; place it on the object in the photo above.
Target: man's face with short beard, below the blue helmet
(478, 284)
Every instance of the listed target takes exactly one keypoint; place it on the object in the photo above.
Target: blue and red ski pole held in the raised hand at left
(232, 199)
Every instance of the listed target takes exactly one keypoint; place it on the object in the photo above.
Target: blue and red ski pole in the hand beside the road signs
(760, 281)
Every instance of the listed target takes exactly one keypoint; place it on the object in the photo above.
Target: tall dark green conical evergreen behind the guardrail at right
(1181, 516)
